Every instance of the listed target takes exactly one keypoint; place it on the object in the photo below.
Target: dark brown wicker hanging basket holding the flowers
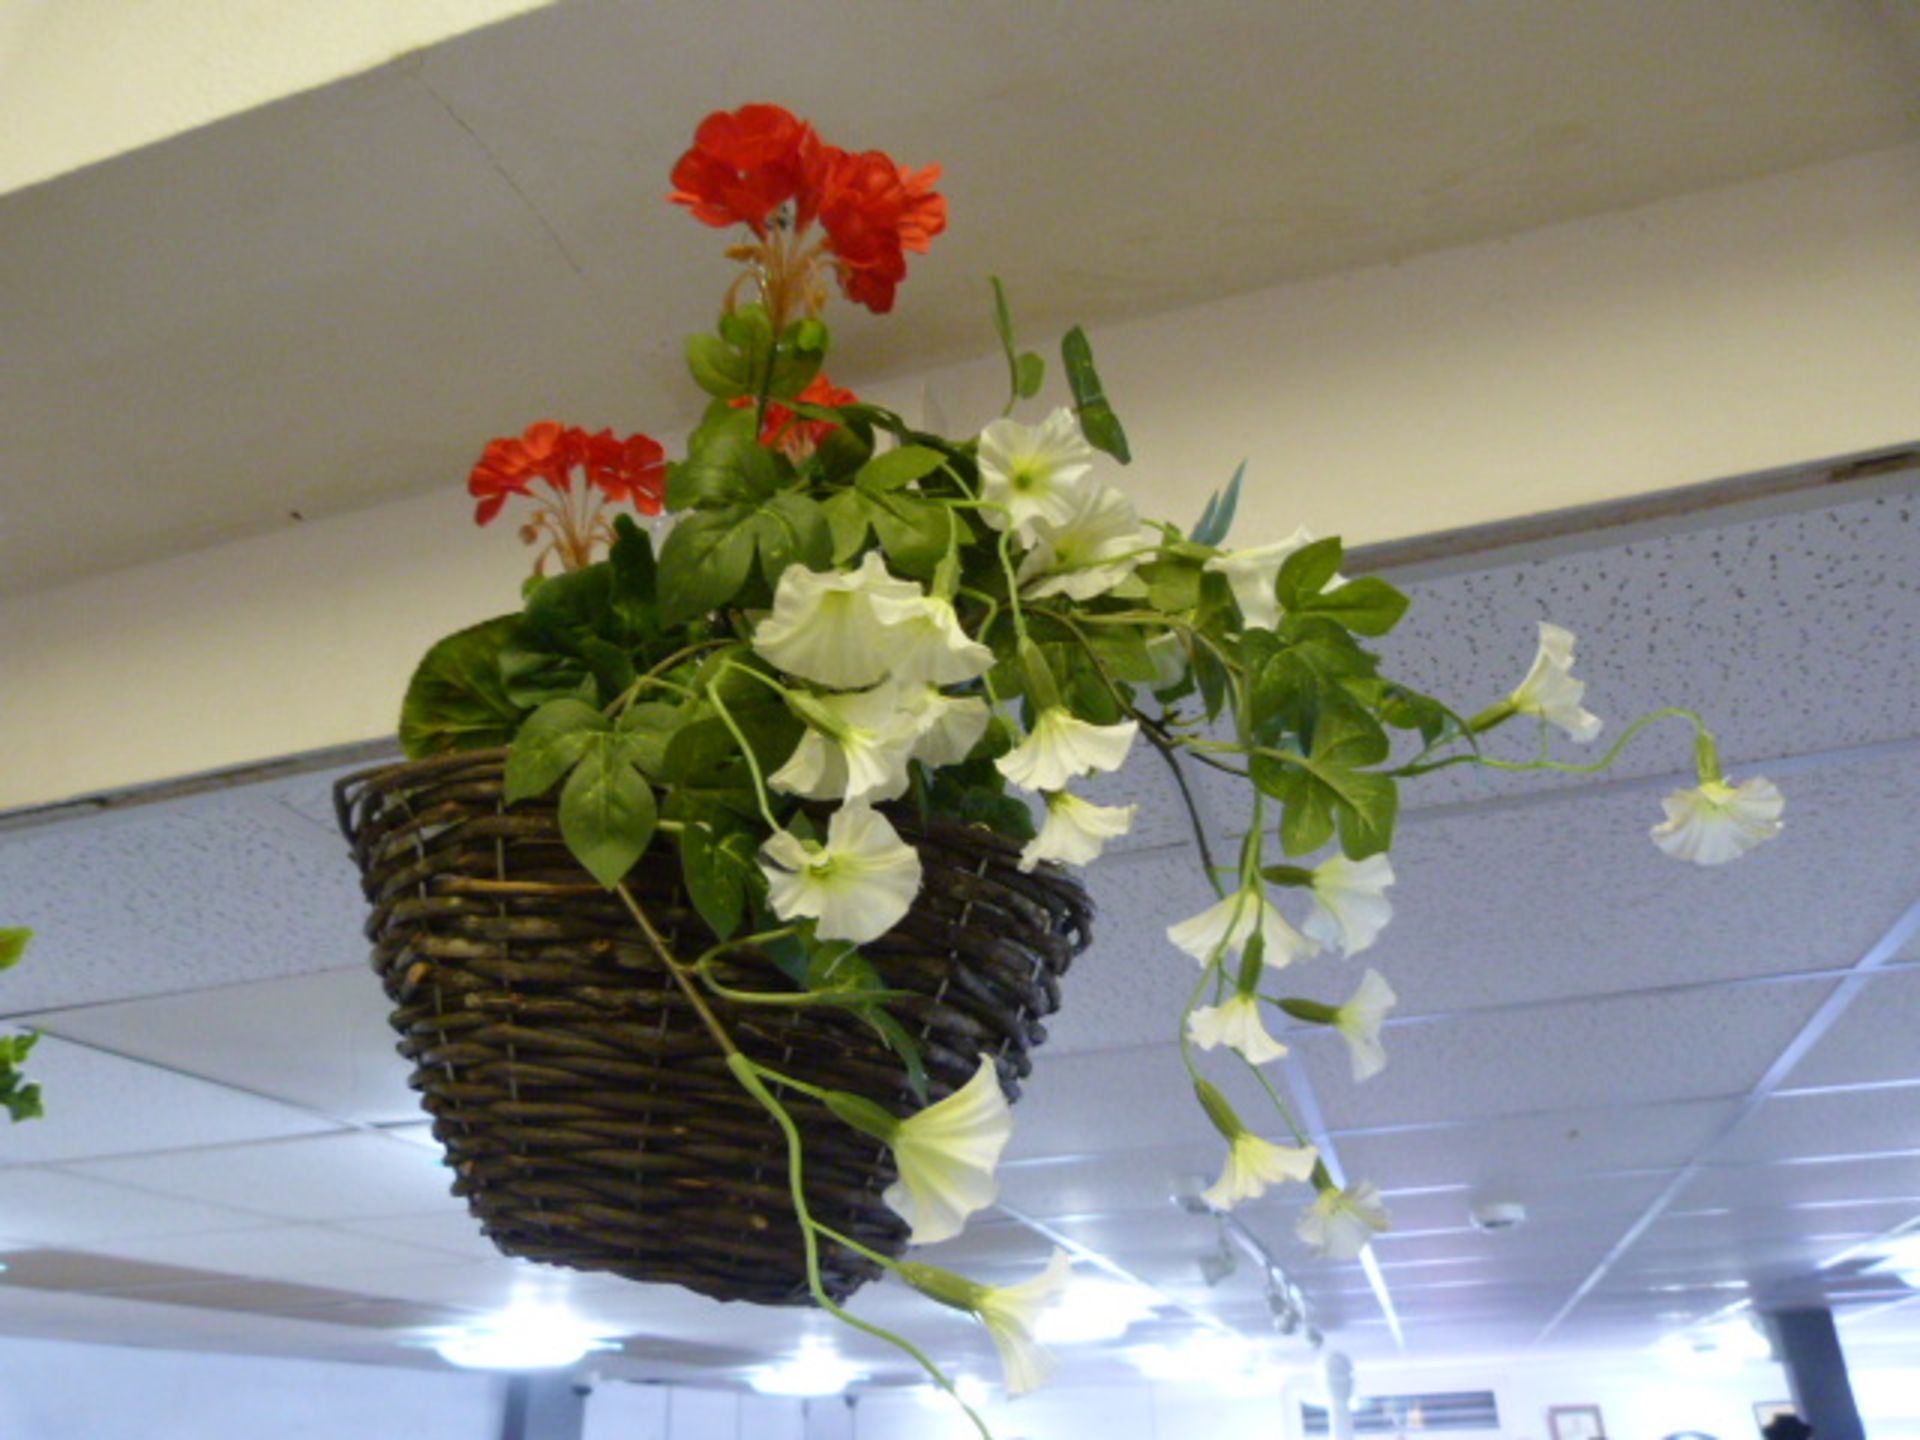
(588, 1115)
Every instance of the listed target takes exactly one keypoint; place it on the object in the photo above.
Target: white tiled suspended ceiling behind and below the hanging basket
(1702, 1084)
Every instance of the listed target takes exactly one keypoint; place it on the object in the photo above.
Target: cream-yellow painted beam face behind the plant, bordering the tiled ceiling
(1717, 335)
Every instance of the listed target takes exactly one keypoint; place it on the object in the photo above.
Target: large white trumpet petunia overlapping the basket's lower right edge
(946, 1157)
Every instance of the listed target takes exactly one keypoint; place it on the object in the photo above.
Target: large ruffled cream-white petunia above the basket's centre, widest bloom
(828, 627)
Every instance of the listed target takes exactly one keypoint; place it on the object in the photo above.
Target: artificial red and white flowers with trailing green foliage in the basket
(853, 623)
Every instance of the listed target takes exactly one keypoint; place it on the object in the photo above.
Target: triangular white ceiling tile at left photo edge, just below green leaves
(101, 1105)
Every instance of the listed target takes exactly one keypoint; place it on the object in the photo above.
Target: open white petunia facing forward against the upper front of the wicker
(855, 888)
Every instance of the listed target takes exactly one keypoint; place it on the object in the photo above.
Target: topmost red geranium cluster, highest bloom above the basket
(750, 164)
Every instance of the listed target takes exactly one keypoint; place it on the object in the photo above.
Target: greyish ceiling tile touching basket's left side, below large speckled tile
(345, 1065)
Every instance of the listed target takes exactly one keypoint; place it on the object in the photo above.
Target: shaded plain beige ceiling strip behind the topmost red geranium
(325, 302)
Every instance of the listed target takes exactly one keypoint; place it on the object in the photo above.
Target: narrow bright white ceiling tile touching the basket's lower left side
(331, 1178)
